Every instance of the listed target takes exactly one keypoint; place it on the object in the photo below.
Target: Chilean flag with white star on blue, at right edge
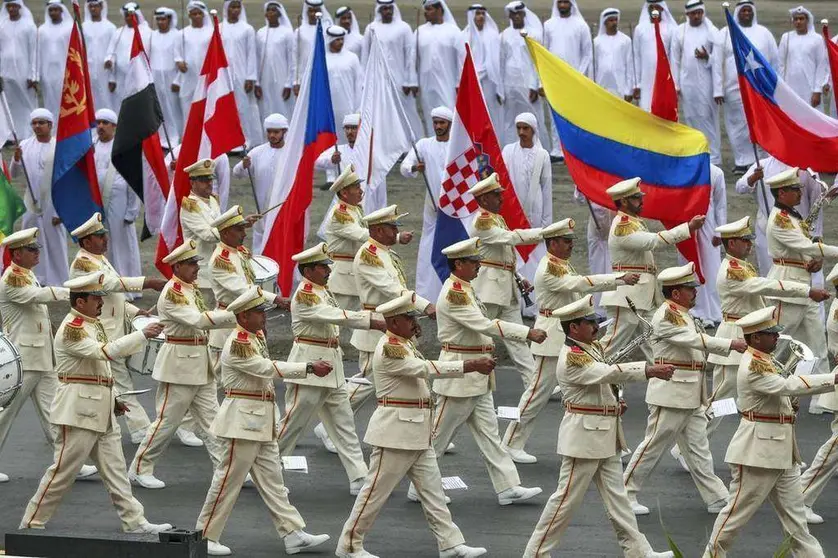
(782, 123)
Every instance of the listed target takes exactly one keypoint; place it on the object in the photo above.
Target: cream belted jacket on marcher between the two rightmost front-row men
(683, 344)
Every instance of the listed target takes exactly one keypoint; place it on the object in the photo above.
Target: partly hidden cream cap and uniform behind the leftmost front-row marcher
(116, 311)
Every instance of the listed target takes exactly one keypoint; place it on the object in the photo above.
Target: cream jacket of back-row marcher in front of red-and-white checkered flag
(495, 283)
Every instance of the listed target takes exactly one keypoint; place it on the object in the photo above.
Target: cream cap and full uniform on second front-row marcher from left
(246, 427)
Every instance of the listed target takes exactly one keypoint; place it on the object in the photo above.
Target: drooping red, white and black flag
(137, 153)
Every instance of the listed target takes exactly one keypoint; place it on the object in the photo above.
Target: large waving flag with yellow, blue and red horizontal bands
(606, 140)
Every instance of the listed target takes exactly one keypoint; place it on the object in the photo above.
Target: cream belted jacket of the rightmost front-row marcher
(762, 390)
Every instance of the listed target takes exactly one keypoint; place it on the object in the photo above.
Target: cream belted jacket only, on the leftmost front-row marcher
(82, 349)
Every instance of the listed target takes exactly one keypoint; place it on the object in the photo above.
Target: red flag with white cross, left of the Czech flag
(212, 129)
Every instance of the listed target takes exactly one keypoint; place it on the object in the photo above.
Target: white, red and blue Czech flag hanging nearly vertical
(311, 132)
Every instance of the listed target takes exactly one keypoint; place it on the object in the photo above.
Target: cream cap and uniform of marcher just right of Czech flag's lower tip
(315, 321)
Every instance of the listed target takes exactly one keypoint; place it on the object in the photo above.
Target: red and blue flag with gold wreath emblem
(75, 187)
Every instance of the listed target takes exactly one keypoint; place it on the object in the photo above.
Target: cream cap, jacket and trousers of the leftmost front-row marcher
(83, 411)
